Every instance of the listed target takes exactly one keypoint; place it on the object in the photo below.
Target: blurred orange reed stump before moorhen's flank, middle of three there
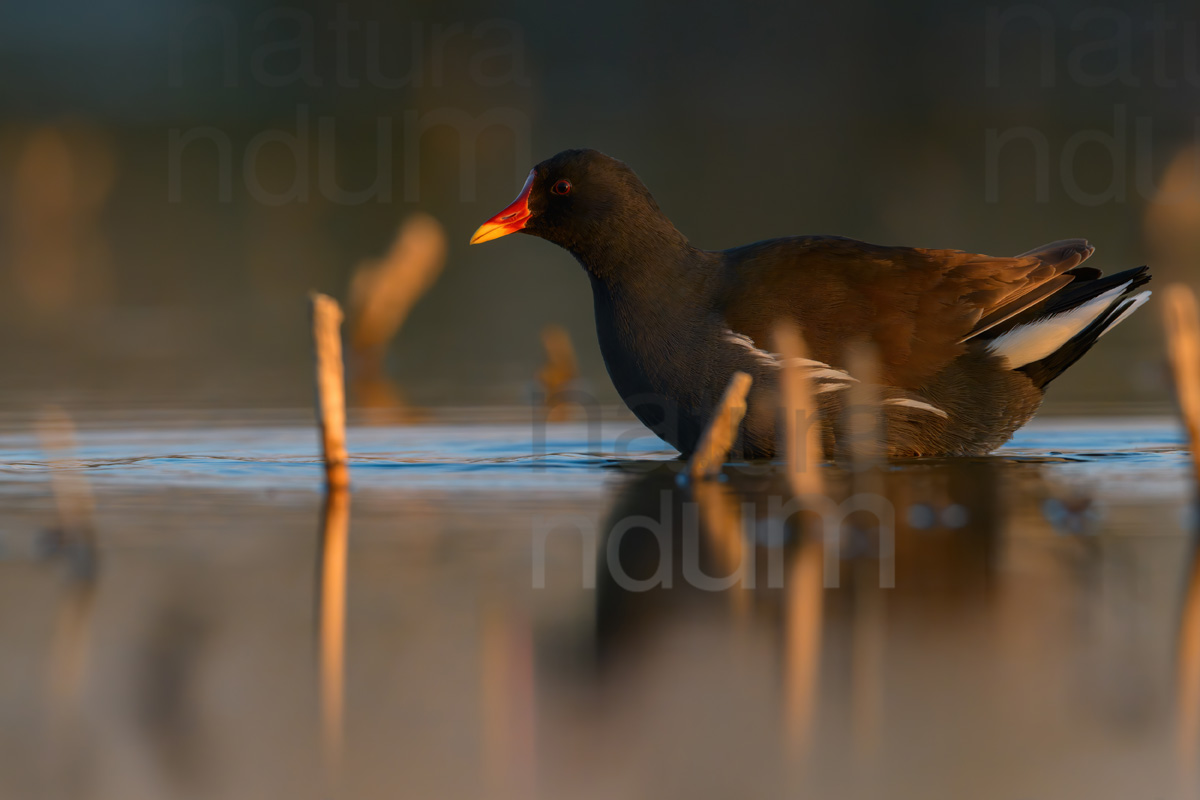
(801, 428)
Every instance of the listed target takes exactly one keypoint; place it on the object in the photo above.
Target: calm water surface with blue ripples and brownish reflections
(489, 616)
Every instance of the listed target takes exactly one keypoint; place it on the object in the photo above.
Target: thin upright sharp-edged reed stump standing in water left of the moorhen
(327, 322)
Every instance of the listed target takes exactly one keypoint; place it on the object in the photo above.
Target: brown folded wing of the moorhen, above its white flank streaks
(920, 306)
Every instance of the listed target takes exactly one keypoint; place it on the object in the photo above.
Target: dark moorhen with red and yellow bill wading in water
(967, 344)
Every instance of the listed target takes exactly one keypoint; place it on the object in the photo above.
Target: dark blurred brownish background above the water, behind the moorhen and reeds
(176, 177)
